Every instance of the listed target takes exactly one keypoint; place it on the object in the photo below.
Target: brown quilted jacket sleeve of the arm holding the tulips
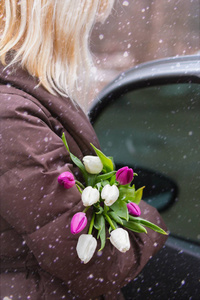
(40, 210)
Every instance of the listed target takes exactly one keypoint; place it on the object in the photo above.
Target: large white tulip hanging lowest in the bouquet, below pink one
(86, 247)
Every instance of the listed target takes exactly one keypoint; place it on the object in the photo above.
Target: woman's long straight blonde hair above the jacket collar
(51, 40)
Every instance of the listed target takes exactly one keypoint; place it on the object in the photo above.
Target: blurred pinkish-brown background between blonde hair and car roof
(144, 30)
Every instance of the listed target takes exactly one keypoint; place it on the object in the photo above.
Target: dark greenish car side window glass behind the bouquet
(158, 130)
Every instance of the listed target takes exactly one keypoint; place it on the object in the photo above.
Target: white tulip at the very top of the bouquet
(93, 164)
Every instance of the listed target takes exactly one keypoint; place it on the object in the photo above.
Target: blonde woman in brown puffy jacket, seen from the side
(43, 75)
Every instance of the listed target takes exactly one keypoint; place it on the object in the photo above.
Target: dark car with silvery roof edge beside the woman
(148, 118)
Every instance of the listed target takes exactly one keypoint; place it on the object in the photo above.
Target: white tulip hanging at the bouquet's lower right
(120, 239)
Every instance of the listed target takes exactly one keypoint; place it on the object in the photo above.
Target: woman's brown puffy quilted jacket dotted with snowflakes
(38, 252)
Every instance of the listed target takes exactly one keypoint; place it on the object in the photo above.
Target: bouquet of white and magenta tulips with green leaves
(112, 199)
